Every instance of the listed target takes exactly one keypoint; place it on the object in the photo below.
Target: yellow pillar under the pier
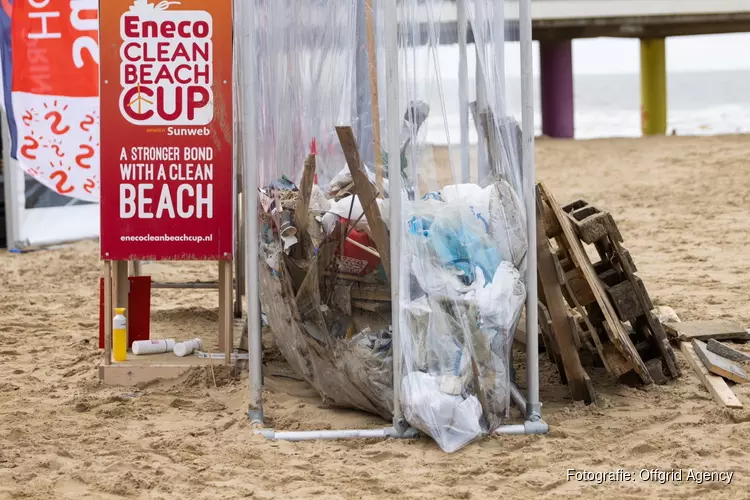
(653, 86)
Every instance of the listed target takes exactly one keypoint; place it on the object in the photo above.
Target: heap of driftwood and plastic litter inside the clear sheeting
(326, 293)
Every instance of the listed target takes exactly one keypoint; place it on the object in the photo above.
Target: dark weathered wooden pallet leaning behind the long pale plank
(624, 289)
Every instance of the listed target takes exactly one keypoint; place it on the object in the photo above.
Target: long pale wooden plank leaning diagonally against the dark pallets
(619, 336)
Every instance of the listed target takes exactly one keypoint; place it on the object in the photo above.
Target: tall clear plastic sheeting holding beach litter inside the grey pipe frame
(325, 217)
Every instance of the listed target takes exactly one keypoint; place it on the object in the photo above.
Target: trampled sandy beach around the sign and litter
(681, 204)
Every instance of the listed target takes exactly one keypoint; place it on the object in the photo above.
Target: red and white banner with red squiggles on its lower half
(55, 89)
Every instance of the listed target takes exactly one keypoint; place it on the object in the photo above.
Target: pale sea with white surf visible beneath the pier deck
(699, 103)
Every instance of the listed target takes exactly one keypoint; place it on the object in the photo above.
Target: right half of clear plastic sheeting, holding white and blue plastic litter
(464, 240)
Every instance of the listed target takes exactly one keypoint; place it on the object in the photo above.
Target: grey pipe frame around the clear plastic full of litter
(400, 429)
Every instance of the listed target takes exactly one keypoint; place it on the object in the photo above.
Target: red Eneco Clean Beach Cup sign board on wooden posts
(166, 129)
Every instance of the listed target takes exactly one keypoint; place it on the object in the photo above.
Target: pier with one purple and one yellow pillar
(555, 23)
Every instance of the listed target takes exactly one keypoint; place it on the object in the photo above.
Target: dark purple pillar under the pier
(556, 61)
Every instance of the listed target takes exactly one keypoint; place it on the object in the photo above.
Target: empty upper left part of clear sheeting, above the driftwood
(305, 68)
